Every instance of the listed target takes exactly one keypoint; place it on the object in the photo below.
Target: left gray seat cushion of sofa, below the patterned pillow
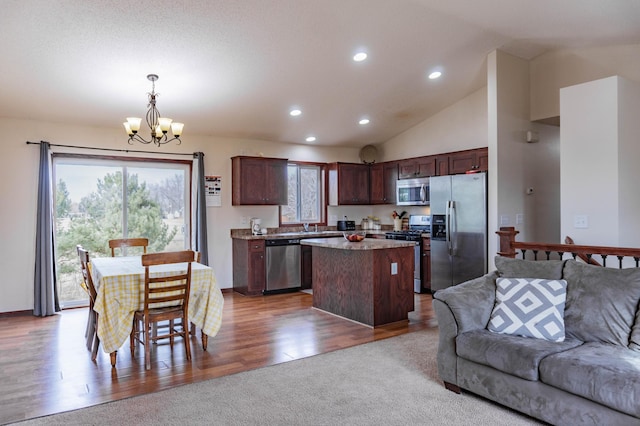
(515, 355)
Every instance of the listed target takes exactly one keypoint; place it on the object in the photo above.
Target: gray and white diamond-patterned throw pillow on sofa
(529, 307)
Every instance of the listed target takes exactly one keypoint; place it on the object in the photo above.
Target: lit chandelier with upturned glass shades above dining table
(159, 125)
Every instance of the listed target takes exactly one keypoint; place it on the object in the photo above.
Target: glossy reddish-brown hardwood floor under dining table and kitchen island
(45, 367)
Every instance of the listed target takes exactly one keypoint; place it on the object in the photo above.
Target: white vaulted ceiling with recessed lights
(235, 68)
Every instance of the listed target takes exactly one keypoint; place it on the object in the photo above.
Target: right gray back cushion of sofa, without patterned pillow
(601, 302)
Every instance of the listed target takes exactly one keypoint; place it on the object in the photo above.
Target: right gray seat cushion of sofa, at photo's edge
(607, 374)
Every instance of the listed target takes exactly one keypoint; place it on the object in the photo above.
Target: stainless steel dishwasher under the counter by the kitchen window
(283, 265)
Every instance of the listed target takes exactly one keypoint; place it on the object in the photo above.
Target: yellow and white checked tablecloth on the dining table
(120, 285)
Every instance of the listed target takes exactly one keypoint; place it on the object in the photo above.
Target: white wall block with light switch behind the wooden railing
(599, 154)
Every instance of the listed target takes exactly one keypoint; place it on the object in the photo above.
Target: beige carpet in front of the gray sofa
(388, 382)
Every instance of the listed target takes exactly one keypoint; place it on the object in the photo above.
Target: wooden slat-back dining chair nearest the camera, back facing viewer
(166, 298)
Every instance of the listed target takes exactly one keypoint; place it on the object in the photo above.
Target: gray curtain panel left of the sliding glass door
(45, 300)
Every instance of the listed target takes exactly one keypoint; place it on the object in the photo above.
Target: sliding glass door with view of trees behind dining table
(99, 199)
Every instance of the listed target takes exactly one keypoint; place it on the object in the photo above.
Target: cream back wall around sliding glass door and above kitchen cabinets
(19, 181)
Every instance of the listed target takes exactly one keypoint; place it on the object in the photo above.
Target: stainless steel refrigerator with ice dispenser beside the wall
(458, 228)
